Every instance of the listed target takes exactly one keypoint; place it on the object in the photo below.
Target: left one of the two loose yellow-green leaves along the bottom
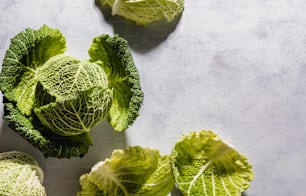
(132, 171)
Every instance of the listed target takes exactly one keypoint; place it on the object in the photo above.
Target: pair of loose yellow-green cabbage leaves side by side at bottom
(199, 164)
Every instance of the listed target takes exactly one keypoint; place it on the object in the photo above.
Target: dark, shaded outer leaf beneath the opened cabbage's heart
(48, 143)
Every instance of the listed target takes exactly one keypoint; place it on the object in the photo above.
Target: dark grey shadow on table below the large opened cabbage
(66, 172)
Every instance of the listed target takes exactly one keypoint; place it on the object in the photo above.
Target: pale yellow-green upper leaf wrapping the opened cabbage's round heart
(64, 76)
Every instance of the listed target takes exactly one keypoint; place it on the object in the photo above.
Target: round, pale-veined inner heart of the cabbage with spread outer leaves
(81, 97)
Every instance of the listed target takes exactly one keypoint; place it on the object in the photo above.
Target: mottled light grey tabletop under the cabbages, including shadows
(236, 67)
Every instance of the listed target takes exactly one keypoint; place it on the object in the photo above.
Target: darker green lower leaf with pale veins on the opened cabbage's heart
(78, 114)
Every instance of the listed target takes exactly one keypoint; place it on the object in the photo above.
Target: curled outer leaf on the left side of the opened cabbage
(29, 50)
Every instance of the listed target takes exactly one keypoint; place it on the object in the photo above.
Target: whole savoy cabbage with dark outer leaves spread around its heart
(53, 100)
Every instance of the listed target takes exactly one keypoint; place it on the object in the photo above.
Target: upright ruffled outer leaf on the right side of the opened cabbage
(114, 56)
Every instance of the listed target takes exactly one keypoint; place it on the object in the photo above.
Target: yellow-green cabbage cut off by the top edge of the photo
(146, 11)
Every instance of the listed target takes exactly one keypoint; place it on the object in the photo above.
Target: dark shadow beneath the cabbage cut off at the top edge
(140, 38)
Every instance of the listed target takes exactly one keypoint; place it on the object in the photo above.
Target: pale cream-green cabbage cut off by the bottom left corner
(20, 175)
